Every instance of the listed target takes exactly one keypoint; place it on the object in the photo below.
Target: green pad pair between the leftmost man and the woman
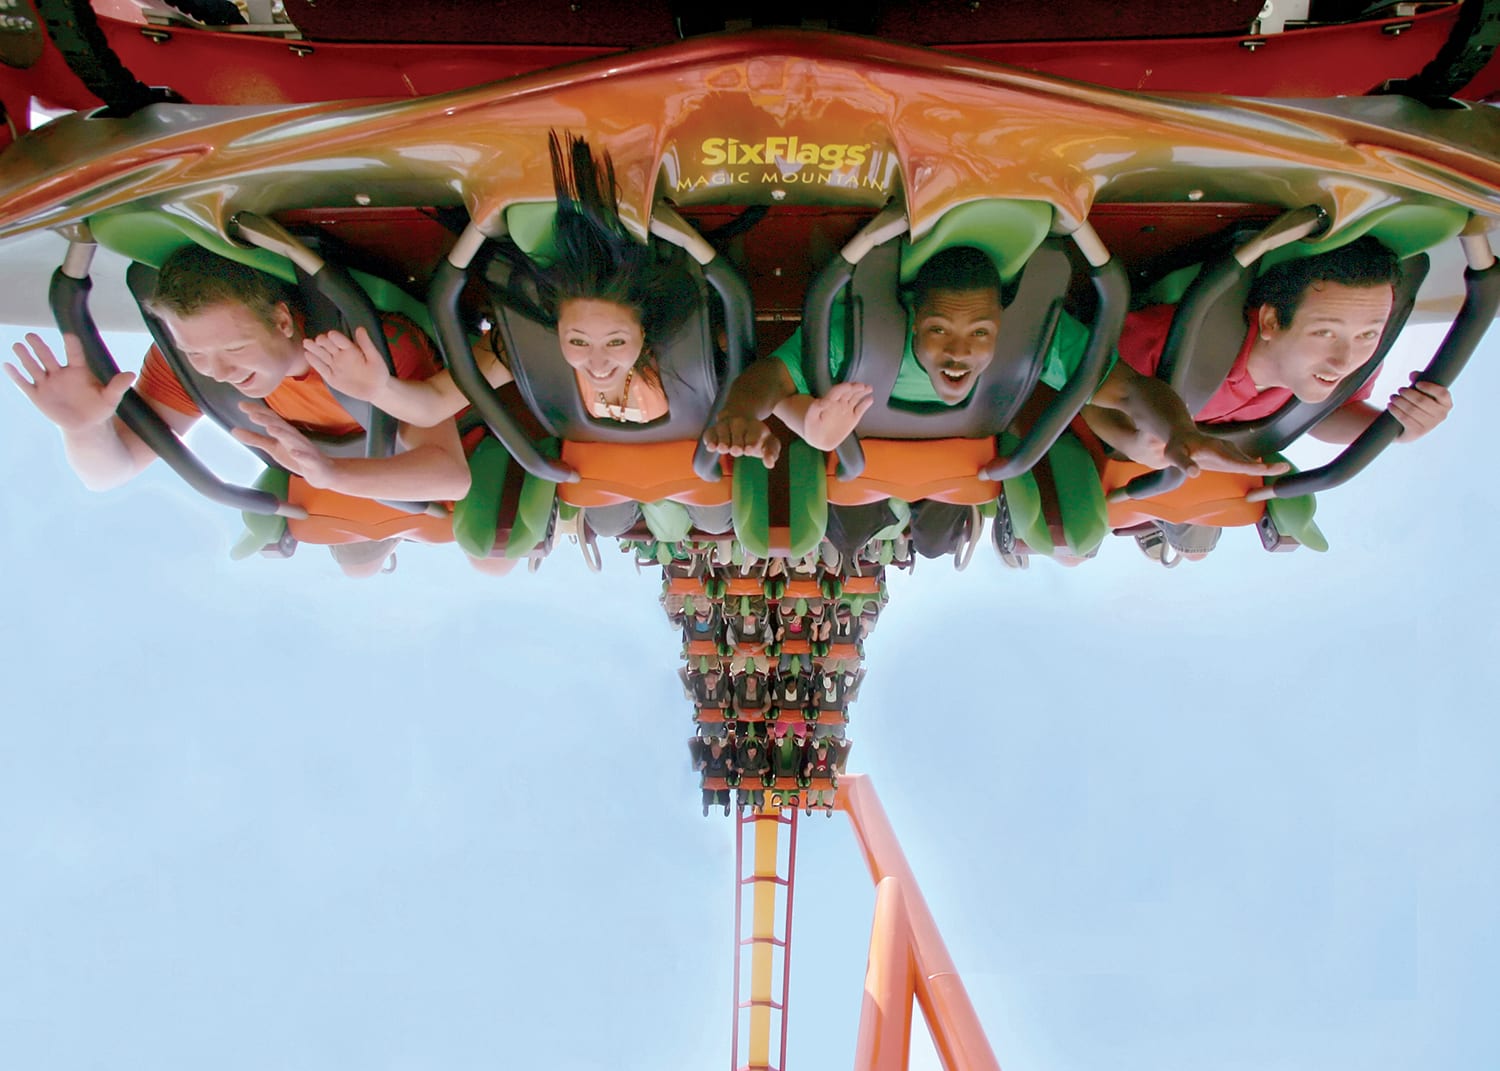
(506, 509)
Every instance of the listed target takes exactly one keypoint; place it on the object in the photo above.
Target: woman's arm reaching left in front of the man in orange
(358, 370)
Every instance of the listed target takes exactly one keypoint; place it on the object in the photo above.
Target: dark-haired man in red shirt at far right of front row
(1312, 323)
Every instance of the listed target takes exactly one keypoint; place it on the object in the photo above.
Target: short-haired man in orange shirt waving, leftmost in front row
(242, 328)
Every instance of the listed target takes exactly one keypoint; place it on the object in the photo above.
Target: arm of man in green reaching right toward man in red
(1150, 424)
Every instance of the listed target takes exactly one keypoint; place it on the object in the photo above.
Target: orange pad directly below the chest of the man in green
(910, 470)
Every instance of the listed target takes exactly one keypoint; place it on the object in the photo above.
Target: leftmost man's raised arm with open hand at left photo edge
(98, 445)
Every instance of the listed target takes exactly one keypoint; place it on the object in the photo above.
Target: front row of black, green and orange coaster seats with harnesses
(1036, 472)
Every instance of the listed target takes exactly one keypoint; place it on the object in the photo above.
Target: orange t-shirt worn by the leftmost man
(305, 401)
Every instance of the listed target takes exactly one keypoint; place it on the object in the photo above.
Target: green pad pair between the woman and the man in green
(791, 529)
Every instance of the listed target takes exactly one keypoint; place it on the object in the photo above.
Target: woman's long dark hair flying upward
(598, 259)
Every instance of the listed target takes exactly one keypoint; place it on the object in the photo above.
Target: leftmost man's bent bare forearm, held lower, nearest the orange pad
(431, 467)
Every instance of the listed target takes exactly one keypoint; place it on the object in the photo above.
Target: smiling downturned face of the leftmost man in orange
(229, 343)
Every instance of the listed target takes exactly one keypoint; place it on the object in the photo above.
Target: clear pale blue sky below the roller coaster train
(1237, 815)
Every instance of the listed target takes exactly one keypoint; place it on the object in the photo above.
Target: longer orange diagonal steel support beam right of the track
(955, 1025)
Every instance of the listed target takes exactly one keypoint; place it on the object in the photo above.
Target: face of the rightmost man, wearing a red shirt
(1334, 332)
